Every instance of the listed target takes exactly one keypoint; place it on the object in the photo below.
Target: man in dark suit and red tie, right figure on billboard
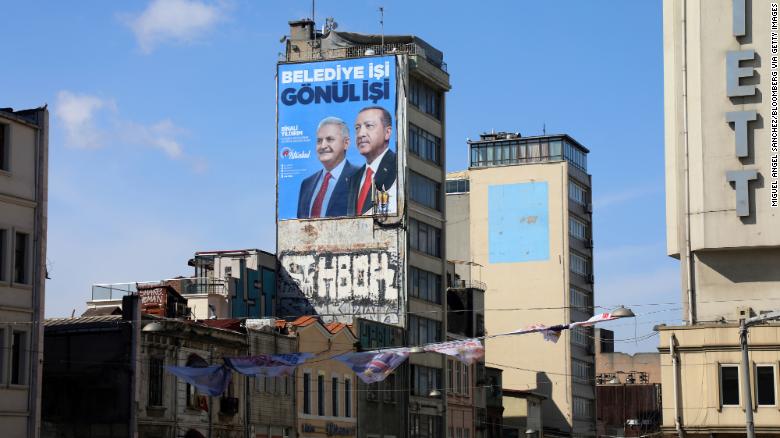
(373, 128)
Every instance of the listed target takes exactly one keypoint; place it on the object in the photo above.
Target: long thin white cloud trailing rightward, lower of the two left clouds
(92, 122)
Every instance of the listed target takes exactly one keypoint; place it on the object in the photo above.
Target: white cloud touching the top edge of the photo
(181, 21)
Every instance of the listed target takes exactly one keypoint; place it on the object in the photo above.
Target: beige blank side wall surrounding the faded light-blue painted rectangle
(530, 282)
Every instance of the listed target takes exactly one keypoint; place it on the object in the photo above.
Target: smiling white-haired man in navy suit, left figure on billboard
(326, 192)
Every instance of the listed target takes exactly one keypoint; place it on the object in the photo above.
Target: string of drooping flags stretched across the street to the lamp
(369, 366)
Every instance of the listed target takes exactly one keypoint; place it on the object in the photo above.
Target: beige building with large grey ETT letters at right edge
(723, 222)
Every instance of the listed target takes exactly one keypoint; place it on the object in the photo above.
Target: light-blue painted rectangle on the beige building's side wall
(518, 223)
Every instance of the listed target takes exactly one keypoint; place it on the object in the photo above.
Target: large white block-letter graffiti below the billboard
(340, 286)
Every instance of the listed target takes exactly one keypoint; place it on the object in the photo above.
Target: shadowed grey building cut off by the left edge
(24, 140)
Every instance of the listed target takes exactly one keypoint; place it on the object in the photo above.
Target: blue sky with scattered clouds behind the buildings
(162, 124)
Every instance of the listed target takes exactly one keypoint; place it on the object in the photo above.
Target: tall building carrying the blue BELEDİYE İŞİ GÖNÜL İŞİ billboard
(371, 247)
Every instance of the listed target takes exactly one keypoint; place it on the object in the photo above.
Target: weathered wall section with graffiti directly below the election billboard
(340, 269)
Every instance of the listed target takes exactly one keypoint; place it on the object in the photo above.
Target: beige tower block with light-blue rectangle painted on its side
(519, 219)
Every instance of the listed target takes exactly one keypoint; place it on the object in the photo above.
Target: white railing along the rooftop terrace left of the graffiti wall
(185, 286)
